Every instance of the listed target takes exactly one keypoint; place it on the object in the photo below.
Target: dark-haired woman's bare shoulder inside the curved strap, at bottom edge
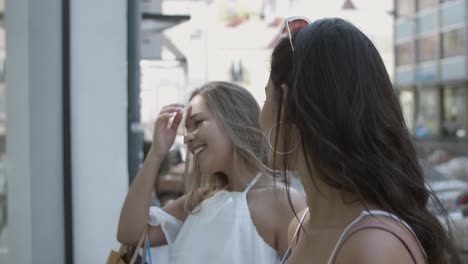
(374, 246)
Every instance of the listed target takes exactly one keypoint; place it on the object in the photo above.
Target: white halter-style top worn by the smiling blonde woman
(222, 231)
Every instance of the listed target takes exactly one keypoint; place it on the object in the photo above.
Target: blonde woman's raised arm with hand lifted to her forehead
(135, 210)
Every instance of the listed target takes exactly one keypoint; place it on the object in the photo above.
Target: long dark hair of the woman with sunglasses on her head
(354, 137)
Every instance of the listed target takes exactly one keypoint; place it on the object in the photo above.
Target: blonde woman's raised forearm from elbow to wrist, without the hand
(135, 210)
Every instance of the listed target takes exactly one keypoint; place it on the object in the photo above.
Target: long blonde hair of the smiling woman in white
(238, 114)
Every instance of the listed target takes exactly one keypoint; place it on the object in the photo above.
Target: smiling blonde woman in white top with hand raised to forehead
(234, 211)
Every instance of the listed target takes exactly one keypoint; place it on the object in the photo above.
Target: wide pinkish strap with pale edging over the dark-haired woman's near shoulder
(378, 223)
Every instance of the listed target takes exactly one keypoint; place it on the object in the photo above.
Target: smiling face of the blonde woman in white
(206, 139)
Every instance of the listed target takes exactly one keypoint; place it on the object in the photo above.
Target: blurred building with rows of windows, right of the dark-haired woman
(430, 41)
